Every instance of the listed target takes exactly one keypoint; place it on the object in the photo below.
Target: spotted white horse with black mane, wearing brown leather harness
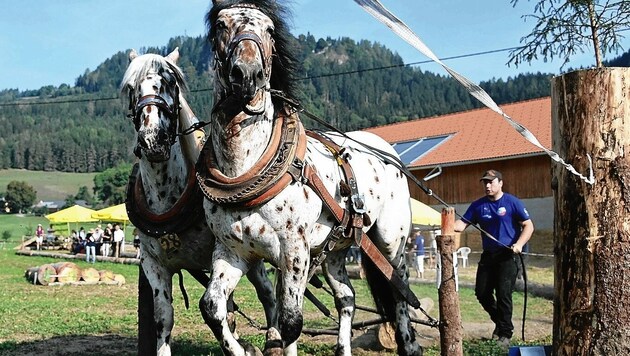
(295, 200)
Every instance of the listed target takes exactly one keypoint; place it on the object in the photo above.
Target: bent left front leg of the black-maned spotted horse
(227, 270)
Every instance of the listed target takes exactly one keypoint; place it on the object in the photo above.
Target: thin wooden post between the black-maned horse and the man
(450, 316)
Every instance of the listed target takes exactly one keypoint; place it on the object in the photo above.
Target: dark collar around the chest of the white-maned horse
(188, 209)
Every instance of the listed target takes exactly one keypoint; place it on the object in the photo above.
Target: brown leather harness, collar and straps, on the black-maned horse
(282, 164)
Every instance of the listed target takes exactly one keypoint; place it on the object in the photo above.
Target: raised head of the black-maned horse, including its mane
(250, 40)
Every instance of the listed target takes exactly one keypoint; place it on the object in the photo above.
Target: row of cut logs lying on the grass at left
(61, 273)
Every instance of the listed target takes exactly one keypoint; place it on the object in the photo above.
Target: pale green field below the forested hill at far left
(49, 185)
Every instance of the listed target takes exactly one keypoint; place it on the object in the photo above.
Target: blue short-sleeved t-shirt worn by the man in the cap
(500, 219)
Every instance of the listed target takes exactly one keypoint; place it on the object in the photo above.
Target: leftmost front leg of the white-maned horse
(160, 280)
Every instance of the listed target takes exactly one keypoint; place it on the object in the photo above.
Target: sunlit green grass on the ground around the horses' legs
(30, 313)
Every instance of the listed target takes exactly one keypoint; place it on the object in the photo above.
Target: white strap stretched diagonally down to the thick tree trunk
(376, 9)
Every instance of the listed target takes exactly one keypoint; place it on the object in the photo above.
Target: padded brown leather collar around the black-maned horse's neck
(274, 171)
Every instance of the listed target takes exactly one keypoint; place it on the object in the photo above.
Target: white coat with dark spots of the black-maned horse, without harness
(292, 227)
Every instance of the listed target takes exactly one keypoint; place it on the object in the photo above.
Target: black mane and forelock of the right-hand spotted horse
(285, 61)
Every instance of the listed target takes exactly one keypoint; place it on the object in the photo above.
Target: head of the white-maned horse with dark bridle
(153, 84)
